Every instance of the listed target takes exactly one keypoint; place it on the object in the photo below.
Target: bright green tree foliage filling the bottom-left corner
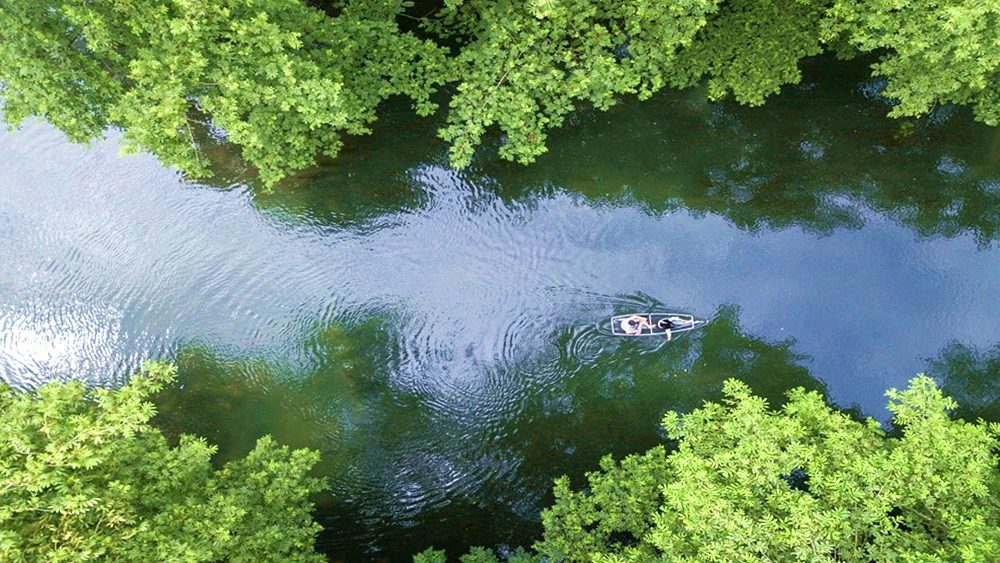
(83, 476)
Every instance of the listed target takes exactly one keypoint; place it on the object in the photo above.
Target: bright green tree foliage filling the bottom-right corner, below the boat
(806, 483)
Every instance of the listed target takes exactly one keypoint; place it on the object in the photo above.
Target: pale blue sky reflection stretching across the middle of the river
(143, 263)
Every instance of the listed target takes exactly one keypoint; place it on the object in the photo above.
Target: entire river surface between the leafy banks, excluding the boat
(432, 331)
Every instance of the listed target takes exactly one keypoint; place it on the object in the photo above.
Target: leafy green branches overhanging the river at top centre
(525, 66)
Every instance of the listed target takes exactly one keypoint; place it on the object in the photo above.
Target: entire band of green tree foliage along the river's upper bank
(287, 80)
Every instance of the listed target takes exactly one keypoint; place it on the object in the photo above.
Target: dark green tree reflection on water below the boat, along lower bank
(407, 472)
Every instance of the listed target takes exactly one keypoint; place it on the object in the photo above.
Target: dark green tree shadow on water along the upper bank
(814, 157)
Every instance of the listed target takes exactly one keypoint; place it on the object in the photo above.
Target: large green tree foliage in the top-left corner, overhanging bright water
(283, 80)
